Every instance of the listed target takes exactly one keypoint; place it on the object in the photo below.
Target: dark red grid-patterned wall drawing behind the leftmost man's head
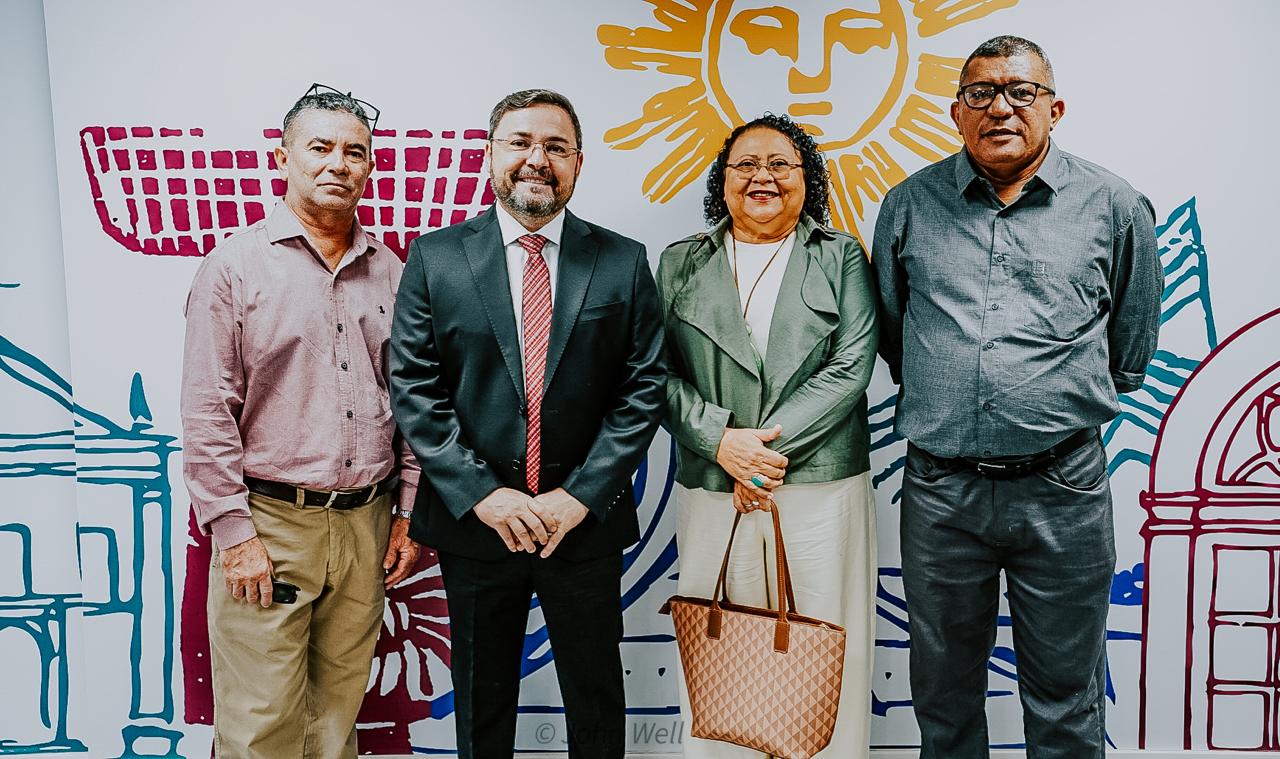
(176, 193)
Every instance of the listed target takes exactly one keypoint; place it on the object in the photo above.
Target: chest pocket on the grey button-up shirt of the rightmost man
(1058, 303)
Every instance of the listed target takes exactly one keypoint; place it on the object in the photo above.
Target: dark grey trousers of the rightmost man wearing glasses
(1053, 536)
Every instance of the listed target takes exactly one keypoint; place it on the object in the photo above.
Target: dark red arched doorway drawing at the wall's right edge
(1213, 541)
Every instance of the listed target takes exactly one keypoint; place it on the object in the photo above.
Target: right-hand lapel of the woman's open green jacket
(806, 314)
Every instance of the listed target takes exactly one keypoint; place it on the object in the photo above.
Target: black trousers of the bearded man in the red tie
(488, 614)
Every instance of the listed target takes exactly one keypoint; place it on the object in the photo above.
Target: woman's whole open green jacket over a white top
(821, 351)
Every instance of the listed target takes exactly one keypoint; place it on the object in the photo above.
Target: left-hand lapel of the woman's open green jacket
(710, 304)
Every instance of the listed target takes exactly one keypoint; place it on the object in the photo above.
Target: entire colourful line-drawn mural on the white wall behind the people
(1209, 463)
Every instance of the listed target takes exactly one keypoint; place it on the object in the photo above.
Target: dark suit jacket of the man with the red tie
(458, 383)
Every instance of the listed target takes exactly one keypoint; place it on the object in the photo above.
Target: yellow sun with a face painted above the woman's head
(845, 70)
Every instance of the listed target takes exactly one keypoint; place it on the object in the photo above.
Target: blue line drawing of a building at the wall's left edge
(125, 552)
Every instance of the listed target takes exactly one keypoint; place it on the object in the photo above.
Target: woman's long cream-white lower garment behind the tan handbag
(830, 531)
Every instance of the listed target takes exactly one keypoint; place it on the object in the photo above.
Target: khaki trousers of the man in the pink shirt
(289, 680)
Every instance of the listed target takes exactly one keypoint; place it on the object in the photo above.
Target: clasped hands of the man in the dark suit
(525, 522)
